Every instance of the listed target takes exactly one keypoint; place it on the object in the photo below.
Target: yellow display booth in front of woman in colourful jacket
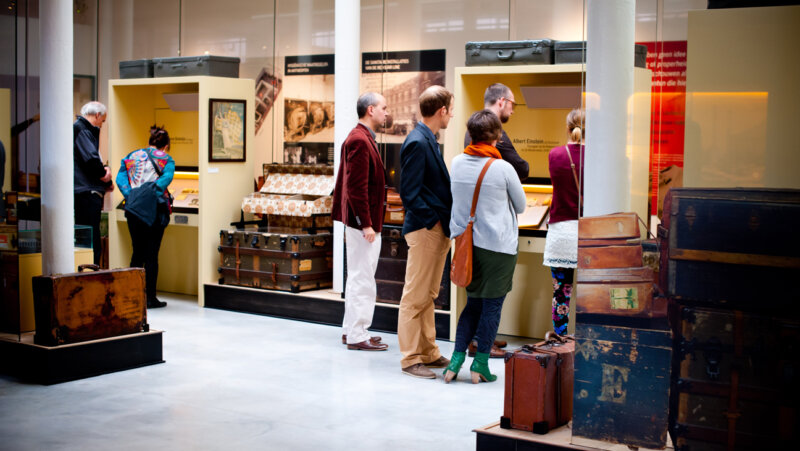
(189, 256)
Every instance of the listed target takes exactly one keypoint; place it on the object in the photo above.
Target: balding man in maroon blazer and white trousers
(358, 202)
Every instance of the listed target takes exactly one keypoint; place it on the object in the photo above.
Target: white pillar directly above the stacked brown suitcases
(609, 87)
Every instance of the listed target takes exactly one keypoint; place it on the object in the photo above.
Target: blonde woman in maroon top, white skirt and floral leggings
(561, 244)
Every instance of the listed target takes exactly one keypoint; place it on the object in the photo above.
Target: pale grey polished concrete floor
(240, 381)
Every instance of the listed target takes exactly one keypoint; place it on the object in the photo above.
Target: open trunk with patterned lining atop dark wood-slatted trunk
(294, 251)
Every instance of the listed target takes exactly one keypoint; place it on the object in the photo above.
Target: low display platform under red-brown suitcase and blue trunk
(494, 438)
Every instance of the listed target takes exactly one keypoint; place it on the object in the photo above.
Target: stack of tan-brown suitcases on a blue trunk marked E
(623, 349)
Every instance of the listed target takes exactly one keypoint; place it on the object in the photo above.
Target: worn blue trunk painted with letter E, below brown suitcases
(621, 385)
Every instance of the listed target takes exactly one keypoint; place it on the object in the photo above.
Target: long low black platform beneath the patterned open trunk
(304, 307)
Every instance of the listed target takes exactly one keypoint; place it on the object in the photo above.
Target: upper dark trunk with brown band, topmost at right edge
(721, 247)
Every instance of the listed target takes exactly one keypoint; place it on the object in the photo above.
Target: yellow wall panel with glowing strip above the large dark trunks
(743, 98)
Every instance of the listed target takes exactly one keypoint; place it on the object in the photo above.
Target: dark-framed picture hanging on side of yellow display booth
(227, 130)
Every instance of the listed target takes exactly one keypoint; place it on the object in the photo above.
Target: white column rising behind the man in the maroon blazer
(348, 71)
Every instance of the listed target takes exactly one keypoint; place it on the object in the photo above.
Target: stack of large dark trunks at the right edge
(730, 258)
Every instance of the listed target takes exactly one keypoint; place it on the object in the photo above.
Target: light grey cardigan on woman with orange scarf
(500, 201)
